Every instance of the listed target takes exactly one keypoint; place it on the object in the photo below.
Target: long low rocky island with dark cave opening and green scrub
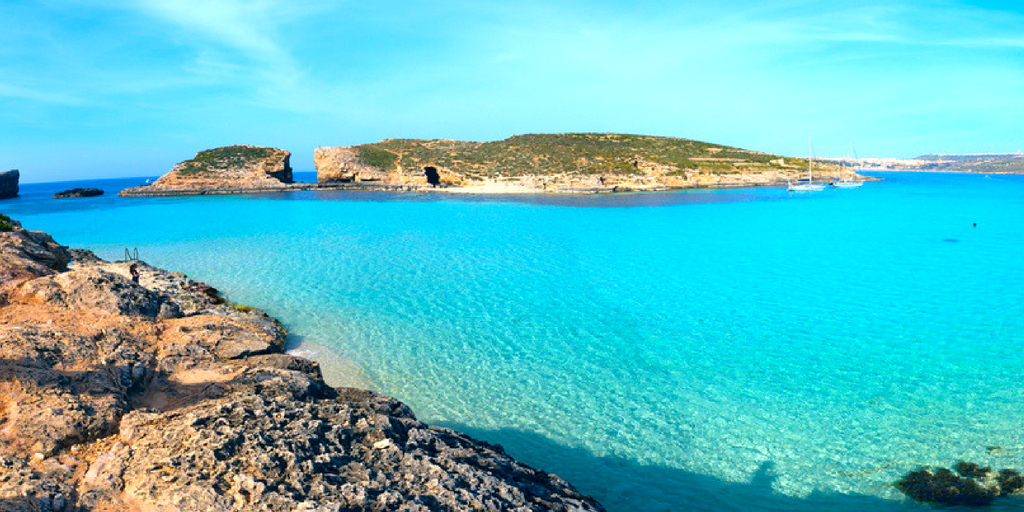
(558, 163)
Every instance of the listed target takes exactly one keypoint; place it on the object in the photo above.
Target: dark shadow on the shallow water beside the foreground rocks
(624, 486)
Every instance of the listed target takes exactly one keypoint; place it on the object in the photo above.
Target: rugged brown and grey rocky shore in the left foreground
(156, 394)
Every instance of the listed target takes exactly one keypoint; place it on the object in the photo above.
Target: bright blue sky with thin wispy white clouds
(94, 89)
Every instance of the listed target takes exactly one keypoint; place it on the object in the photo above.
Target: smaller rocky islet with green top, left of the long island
(234, 169)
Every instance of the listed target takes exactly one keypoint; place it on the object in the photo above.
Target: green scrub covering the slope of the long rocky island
(569, 154)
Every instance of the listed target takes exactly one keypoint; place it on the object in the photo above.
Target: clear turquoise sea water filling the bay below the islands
(709, 351)
